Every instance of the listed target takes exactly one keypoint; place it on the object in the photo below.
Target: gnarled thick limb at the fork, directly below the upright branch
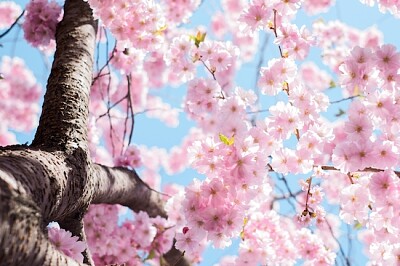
(56, 183)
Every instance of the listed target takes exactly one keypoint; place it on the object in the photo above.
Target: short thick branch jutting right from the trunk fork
(117, 185)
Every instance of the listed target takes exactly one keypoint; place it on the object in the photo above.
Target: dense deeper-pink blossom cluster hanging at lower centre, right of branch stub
(212, 205)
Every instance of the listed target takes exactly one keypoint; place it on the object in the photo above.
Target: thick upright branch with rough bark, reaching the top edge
(63, 123)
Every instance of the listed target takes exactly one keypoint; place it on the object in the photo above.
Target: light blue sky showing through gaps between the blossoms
(147, 131)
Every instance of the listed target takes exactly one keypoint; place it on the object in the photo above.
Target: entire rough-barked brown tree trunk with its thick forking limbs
(54, 178)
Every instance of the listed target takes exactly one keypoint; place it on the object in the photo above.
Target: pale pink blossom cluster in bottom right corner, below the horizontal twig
(372, 201)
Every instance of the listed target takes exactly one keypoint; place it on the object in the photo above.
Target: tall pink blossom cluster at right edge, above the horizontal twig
(368, 138)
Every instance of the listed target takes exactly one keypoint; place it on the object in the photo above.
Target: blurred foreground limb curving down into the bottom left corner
(22, 235)
